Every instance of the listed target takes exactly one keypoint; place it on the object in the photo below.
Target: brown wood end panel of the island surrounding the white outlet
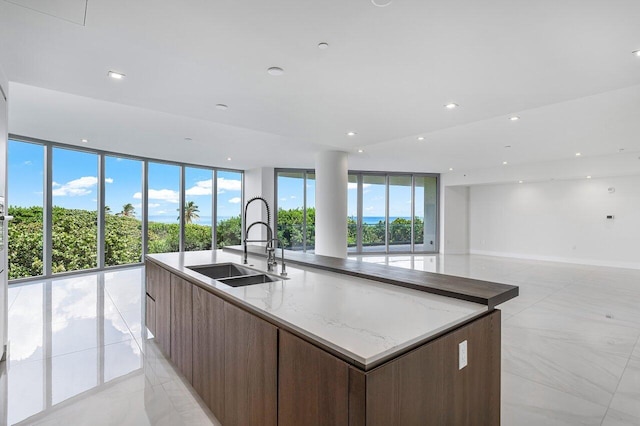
(426, 386)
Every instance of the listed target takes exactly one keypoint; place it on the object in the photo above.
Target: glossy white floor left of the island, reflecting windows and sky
(78, 356)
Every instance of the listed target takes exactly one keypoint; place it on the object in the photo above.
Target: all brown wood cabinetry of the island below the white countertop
(251, 372)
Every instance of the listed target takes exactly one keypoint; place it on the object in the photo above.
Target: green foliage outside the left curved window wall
(75, 239)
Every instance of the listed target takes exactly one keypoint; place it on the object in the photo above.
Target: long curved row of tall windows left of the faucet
(77, 209)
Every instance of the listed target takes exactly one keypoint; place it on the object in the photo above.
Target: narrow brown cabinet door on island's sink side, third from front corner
(208, 350)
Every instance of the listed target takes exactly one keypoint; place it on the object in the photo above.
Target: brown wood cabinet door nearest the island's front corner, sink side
(313, 385)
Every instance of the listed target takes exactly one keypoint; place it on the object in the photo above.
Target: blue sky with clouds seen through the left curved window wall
(75, 183)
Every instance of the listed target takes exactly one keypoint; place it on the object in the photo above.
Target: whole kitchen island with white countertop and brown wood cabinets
(324, 347)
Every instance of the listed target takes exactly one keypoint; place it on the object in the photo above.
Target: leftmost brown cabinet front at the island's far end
(158, 281)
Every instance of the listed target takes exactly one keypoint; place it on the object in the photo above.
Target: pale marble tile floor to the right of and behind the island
(570, 341)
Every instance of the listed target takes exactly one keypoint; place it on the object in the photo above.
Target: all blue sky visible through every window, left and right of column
(75, 186)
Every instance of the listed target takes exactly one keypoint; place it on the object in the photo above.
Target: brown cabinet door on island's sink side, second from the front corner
(251, 378)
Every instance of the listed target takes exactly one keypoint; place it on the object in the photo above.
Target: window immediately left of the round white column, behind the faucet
(295, 213)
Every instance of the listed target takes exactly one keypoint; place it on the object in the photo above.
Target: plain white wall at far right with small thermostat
(560, 220)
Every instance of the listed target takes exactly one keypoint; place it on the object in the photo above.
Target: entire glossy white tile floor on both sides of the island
(571, 349)
